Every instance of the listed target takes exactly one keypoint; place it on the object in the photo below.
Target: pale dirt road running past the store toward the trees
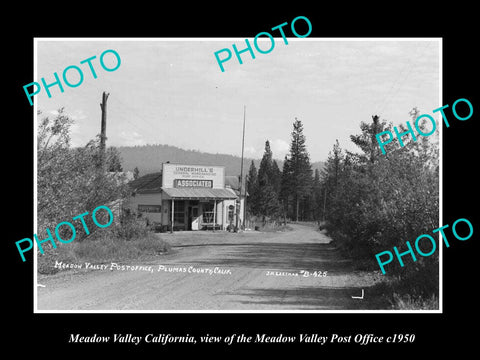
(219, 271)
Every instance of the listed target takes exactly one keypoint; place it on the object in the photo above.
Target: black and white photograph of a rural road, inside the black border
(257, 186)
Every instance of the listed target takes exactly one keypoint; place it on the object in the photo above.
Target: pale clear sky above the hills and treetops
(172, 91)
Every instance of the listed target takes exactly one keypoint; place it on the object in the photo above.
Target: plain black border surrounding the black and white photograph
(49, 333)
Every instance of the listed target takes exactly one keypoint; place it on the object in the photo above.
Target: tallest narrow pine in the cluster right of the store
(300, 169)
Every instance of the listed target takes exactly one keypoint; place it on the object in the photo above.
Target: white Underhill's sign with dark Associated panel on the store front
(193, 176)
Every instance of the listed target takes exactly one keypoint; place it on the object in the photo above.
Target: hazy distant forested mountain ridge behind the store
(149, 159)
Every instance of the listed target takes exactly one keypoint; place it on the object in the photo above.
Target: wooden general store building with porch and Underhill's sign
(191, 197)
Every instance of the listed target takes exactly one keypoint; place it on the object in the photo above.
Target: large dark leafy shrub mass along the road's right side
(375, 202)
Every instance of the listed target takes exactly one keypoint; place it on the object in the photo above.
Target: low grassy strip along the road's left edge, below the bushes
(106, 248)
